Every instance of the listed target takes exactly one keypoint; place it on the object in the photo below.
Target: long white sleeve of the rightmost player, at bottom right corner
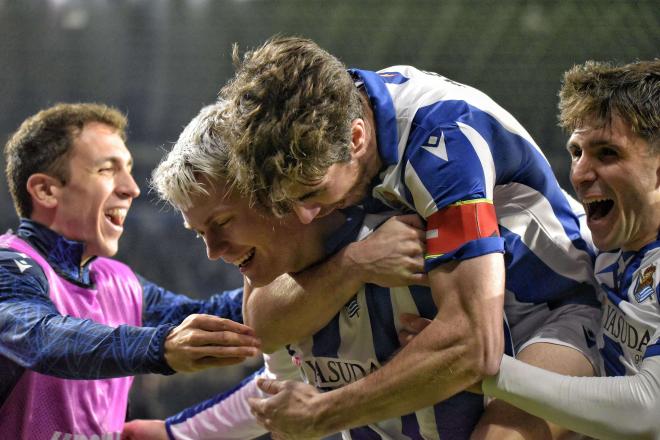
(603, 407)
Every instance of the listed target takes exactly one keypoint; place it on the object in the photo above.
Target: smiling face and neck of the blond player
(261, 245)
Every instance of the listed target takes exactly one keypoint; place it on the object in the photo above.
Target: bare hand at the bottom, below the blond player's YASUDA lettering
(289, 412)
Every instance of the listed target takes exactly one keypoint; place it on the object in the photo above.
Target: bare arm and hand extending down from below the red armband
(453, 352)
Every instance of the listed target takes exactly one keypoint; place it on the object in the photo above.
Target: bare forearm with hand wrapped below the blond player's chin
(391, 256)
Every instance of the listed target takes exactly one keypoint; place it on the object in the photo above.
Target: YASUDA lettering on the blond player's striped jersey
(334, 373)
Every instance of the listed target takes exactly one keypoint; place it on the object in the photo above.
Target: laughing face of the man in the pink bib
(93, 203)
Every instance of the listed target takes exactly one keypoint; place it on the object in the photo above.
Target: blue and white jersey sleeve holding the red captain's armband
(452, 161)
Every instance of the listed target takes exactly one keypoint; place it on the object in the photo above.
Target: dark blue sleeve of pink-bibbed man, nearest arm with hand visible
(35, 336)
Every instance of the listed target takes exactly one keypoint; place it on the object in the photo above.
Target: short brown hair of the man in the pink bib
(43, 141)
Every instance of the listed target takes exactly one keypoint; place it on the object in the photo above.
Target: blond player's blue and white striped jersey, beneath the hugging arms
(358, 340)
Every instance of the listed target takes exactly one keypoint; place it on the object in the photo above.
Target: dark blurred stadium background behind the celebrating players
(160, 61)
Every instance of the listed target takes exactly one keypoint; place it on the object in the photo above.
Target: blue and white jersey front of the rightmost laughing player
(631, 308)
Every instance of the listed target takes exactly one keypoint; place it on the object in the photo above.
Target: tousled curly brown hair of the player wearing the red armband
(289, 117)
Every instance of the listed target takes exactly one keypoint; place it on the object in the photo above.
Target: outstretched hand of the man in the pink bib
(203, 341)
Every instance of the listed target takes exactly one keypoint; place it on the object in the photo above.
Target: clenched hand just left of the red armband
(393, 255)
